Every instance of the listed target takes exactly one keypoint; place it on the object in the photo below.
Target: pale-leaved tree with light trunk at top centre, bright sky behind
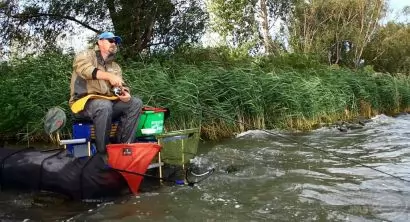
(249, 23)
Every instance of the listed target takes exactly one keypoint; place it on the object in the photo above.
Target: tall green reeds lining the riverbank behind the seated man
(222, 95)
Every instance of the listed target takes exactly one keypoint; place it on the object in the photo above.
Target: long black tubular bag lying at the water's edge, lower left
(56, 171)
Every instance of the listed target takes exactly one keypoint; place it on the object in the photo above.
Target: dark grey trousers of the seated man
(102, 112)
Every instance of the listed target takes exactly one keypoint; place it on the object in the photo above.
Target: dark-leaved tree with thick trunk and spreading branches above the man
(143, 24)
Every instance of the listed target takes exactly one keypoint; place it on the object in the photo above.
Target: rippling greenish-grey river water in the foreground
(323, 175)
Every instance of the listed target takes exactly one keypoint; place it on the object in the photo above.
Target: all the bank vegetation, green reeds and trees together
(278, 64)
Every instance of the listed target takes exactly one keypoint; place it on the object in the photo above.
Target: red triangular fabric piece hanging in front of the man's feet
(132, 160)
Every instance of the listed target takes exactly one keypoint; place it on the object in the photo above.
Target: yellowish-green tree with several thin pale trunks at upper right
(323, 26)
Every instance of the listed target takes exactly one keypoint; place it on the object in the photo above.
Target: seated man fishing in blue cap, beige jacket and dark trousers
(98, 92)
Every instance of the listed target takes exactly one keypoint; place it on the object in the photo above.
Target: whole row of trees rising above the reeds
(339, 31)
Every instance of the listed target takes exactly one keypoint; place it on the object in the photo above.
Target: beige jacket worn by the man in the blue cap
(83, 79)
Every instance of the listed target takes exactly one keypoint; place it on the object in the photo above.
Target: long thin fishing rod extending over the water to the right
(286, 138)
